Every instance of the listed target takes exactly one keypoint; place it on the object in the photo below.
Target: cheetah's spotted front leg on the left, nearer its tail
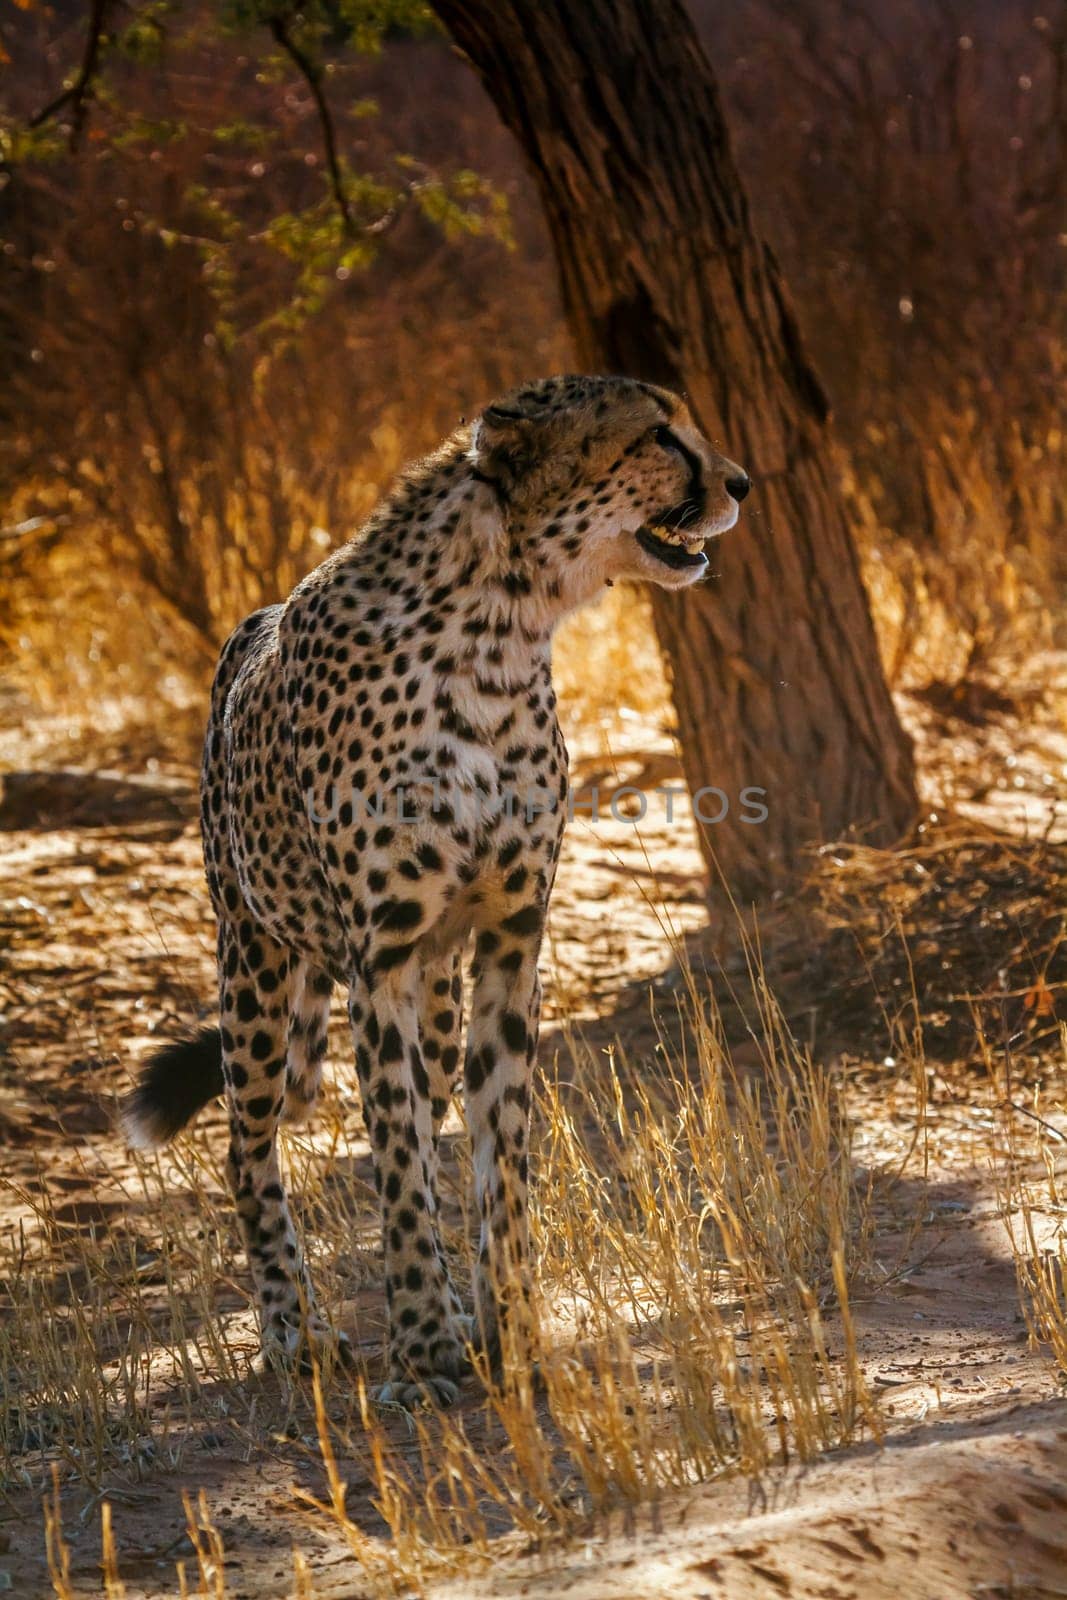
(428, 1335)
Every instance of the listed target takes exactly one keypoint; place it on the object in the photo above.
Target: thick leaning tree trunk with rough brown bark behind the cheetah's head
(773, 660)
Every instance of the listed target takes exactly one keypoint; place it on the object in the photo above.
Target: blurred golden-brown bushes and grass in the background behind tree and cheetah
(270, 255)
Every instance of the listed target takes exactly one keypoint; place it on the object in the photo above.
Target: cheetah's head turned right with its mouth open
(601, 479)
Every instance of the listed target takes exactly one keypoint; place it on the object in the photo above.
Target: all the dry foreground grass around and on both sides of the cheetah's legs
(697, 1230)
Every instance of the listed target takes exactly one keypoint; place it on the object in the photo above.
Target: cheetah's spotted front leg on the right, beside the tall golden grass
(502, 1047)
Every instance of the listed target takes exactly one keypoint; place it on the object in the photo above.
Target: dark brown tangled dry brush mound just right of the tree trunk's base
(957, 938)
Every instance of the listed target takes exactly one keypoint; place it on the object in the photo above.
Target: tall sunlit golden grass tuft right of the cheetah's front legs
(697, 1230)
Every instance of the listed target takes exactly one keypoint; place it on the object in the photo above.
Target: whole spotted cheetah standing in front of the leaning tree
(370, 759)
